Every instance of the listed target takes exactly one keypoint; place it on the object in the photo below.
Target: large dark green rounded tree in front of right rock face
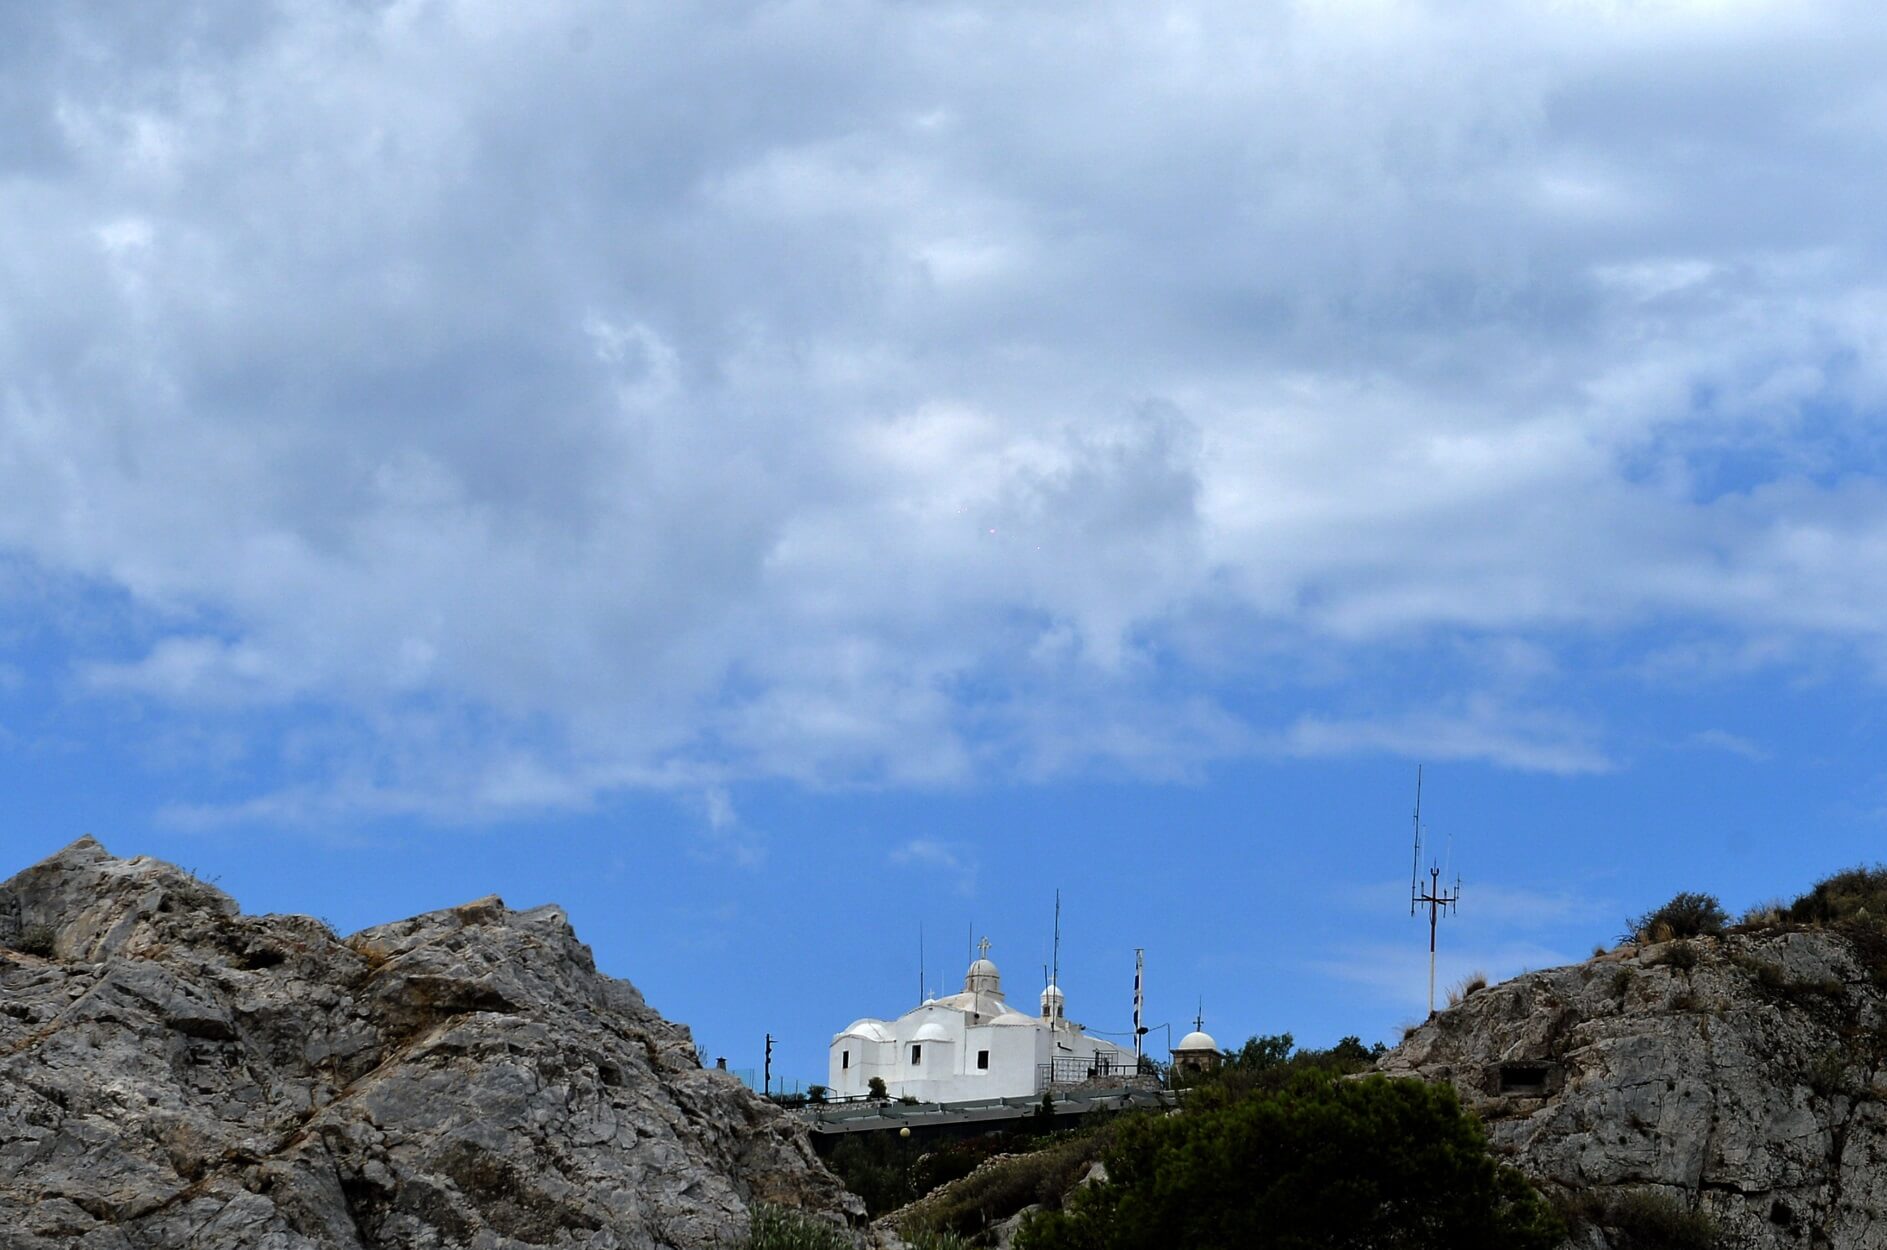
(1320, 1164)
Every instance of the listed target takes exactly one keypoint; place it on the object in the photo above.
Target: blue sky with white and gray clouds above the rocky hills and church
(801, 482)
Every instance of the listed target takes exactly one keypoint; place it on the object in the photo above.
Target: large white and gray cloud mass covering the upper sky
(907, 396)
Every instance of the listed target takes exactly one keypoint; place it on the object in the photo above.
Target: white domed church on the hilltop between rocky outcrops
(971, 1047)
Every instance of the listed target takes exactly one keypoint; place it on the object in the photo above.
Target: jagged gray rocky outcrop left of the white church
(175, 1073)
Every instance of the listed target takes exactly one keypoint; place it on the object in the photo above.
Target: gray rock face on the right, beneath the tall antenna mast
(1741, 1077)
